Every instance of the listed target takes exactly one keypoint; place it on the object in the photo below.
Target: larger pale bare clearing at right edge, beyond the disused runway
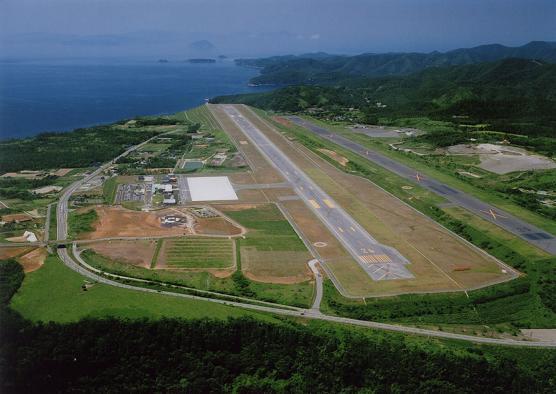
(502, 159)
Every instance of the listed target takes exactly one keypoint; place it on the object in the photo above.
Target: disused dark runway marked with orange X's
(503, 219)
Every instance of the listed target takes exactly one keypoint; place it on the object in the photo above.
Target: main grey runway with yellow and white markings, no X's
(379, 261)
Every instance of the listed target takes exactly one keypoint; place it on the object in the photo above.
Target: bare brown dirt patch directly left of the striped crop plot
(139, 253)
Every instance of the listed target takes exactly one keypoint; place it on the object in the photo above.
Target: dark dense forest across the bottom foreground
(247, 356)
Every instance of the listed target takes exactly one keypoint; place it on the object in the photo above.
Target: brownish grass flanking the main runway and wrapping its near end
(435, 254)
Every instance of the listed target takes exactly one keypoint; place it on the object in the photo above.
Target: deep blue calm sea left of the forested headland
(59, 97)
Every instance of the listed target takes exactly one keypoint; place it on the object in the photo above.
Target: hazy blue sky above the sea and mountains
(249, 28)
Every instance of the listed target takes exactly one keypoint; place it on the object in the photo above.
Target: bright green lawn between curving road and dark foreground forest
(54, 293)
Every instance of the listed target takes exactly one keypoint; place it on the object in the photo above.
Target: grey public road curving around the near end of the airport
(291, 311)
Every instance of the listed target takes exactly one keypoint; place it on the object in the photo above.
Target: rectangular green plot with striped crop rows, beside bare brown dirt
(196, 253)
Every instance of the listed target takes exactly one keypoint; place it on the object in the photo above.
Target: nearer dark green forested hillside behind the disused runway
(510, 95)
